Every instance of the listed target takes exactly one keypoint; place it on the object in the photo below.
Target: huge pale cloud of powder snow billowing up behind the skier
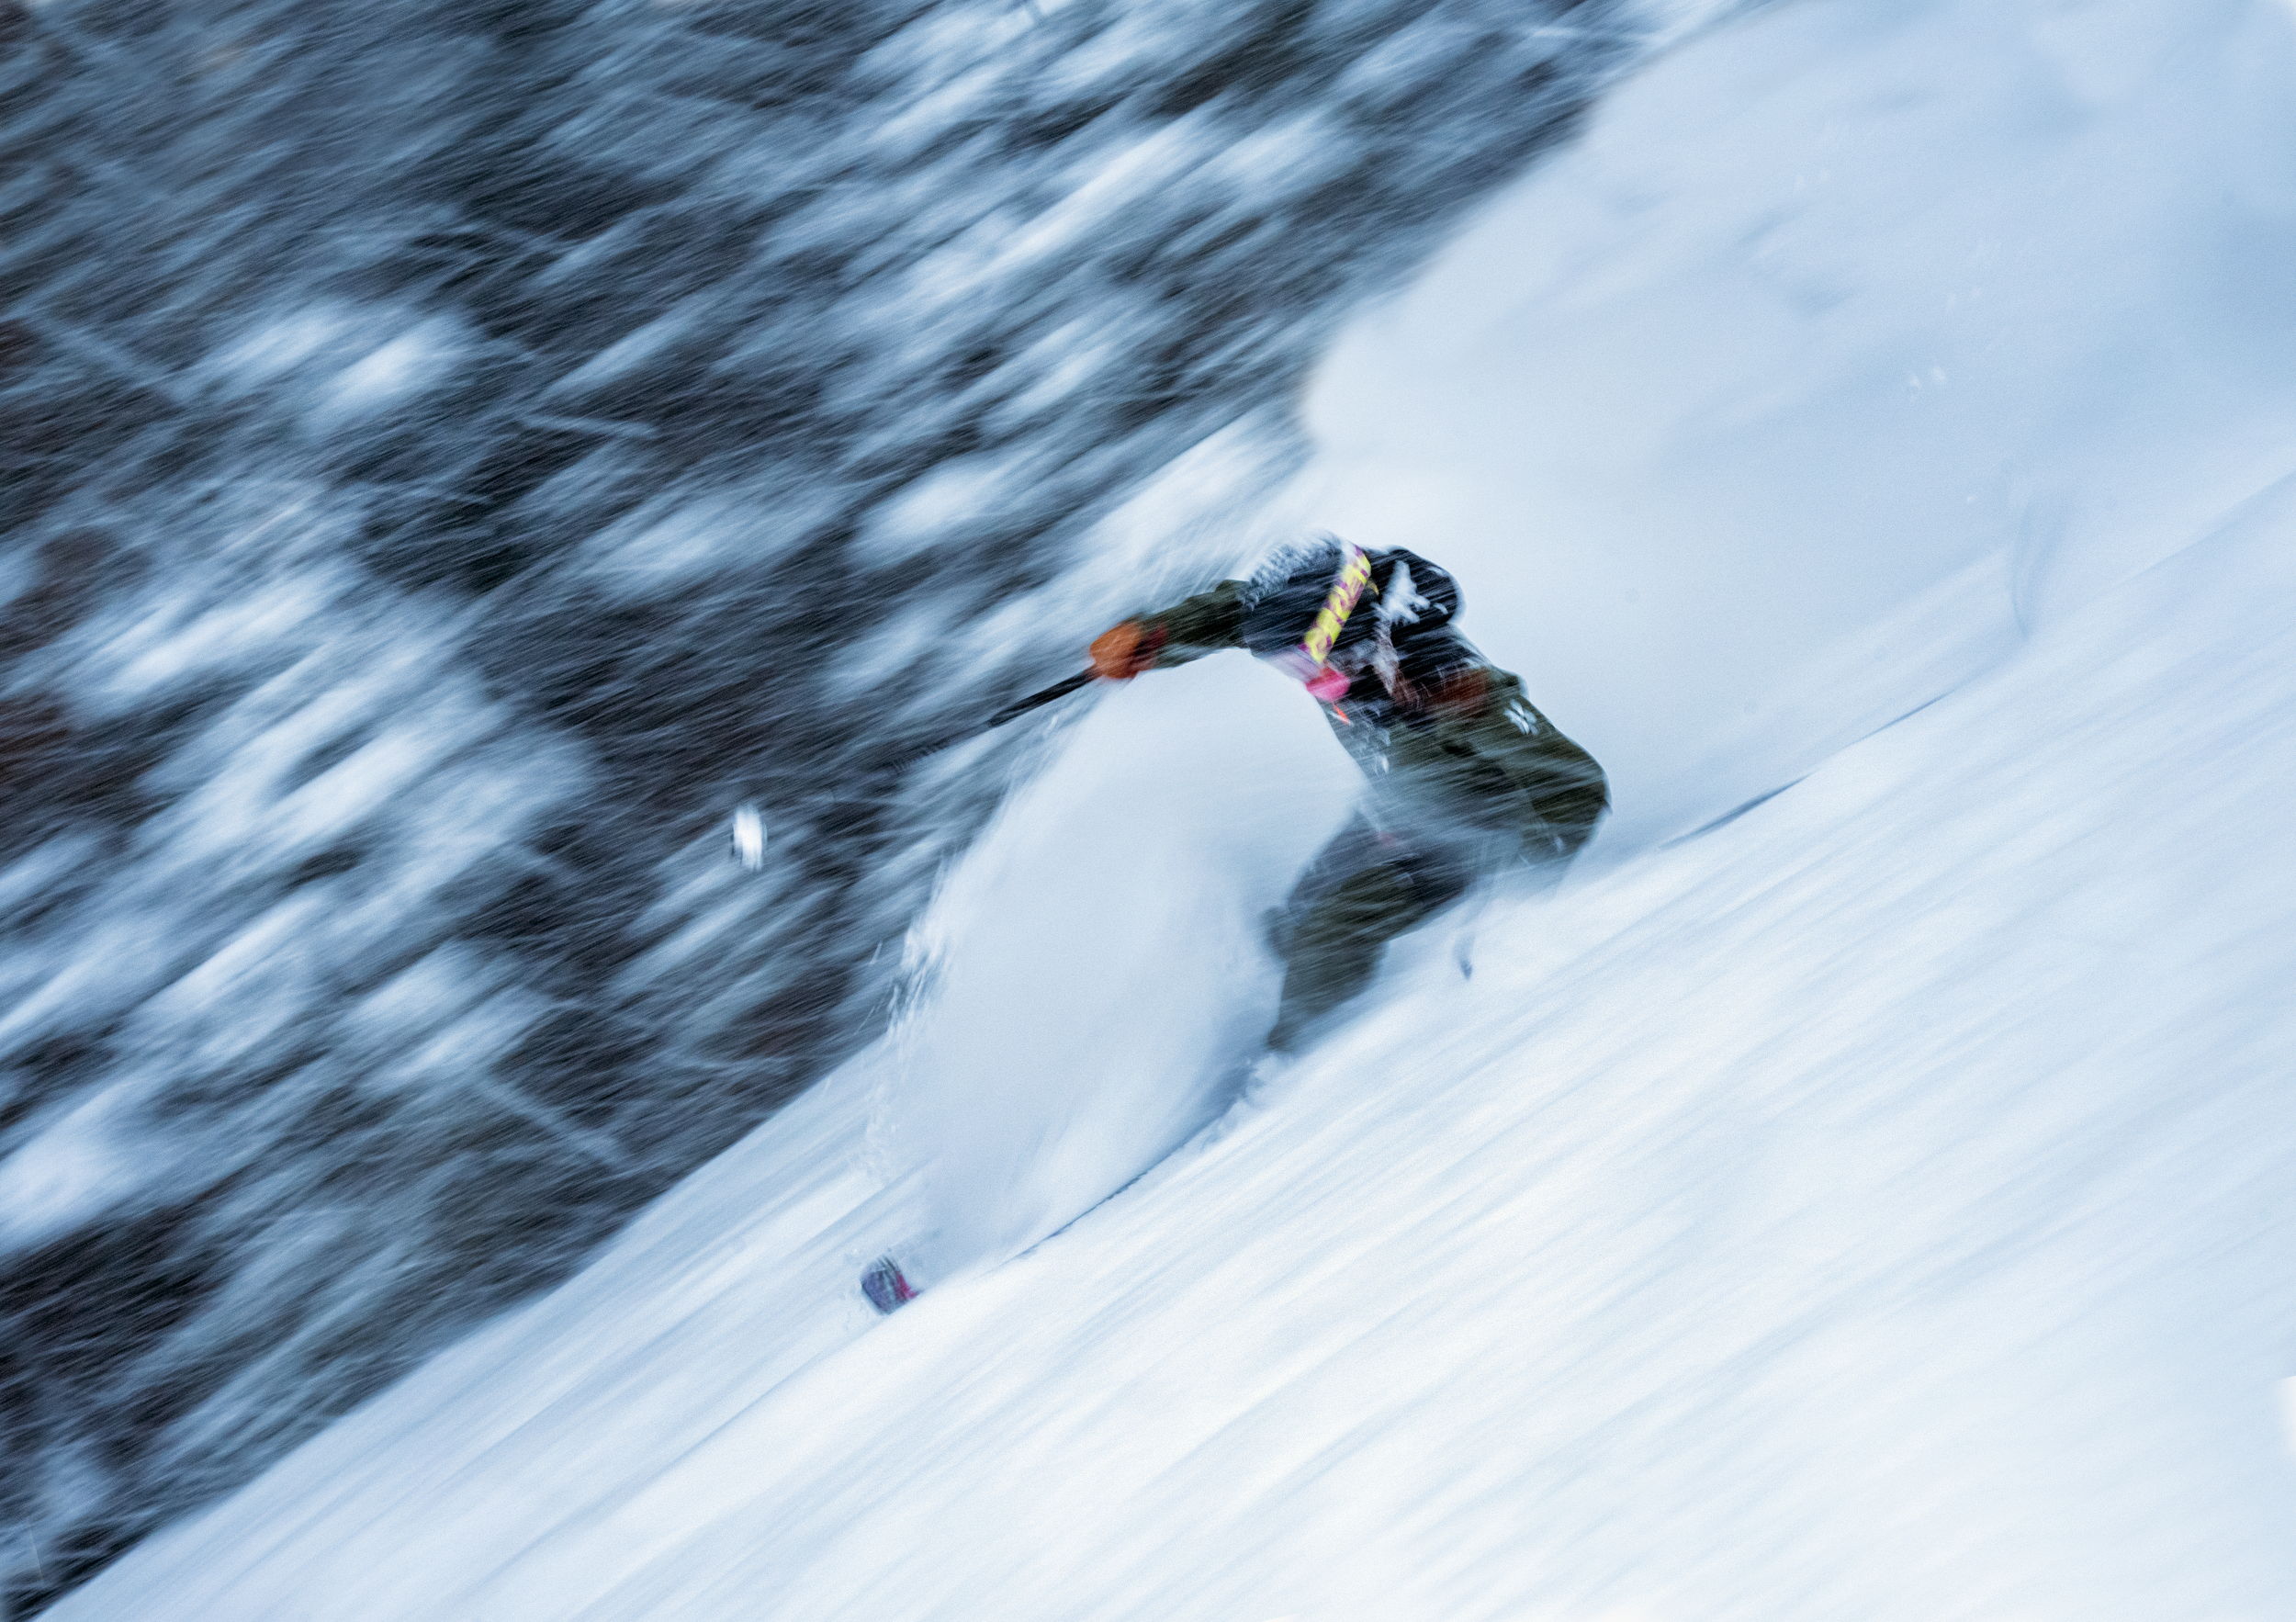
(1843, 350)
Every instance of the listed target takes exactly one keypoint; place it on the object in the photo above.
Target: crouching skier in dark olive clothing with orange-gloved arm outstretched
(1464, 775)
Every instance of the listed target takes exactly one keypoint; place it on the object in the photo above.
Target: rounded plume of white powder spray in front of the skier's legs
(1096, 968)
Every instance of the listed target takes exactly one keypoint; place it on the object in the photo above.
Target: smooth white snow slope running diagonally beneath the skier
(1877, 1207)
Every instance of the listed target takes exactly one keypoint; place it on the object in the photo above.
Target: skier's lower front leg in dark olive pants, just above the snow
(1360, 893)
